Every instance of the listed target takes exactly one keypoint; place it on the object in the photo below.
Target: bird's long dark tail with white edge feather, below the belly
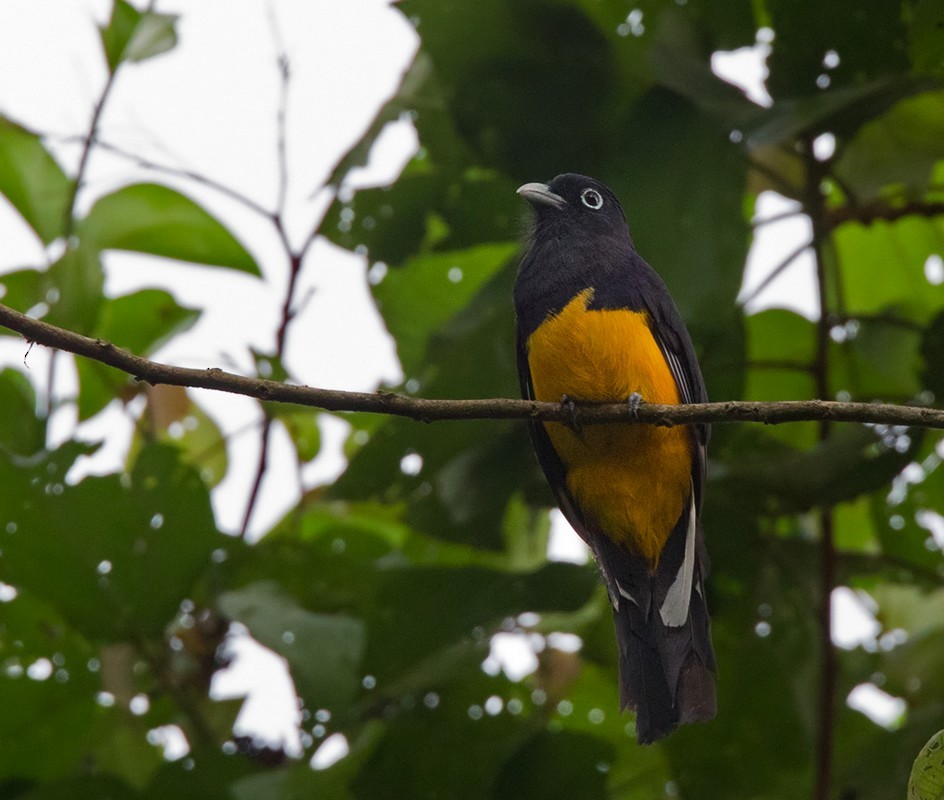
(666, 661)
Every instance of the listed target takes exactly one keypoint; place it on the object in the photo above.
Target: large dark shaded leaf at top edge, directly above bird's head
(534, 89)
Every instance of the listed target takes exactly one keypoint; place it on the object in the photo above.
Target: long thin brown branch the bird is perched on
(429, 410)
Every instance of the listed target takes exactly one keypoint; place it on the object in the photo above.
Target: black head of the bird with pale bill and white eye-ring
(575, 201)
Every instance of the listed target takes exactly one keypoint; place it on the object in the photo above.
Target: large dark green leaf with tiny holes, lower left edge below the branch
(95, 549)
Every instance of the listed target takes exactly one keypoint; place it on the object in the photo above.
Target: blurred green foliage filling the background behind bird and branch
(383, 590)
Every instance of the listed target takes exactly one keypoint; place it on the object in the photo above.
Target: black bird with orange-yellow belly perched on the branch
(596, 324)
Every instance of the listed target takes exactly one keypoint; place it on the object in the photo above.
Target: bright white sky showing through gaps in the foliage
(210, 106)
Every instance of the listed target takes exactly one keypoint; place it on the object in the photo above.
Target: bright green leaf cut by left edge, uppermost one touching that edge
(32, 181)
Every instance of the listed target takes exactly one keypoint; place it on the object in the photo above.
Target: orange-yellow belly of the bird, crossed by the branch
(633, 480)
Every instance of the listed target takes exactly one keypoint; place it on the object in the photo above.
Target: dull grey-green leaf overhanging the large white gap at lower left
(324, 651)
